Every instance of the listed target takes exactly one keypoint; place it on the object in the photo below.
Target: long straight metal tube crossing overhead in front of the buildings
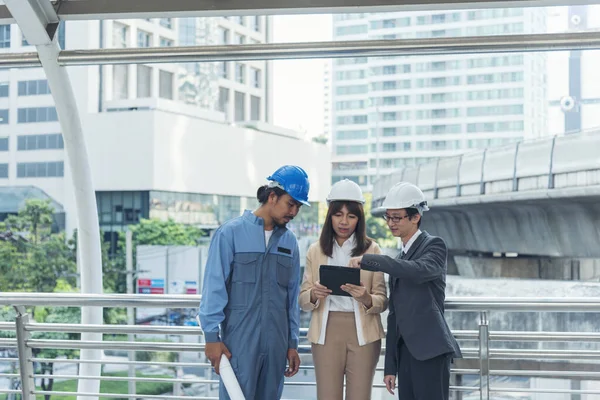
(338, 49)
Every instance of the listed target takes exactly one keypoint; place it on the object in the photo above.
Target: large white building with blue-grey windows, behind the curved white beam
(158, 135)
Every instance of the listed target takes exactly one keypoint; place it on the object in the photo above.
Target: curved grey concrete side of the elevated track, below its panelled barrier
(562, 227)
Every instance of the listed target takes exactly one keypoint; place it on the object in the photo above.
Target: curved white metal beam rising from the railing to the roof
(38, 21)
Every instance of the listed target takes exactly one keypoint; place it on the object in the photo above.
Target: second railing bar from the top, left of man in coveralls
(139, 329)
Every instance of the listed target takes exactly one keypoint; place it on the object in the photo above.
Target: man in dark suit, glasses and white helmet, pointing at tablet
(419, 344)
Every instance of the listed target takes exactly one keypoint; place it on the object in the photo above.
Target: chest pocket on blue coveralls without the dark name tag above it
(243, 280)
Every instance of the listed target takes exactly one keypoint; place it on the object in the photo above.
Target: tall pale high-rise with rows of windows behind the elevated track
(390, 112)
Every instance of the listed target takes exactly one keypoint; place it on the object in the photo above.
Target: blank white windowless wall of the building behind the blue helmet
(143, 150)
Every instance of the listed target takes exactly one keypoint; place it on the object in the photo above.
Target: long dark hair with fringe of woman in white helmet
(360, 234)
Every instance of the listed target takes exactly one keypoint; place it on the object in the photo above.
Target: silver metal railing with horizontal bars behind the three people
(537, 362)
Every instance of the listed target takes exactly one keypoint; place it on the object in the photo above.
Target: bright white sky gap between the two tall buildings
(298, 90)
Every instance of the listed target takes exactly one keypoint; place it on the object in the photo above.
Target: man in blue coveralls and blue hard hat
(249, 309)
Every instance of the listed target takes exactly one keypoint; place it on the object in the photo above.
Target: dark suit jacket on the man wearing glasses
(417, 294)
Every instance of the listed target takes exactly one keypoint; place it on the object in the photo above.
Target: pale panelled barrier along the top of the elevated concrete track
(524, 166)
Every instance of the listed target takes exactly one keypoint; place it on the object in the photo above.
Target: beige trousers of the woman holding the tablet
(341, 355)
